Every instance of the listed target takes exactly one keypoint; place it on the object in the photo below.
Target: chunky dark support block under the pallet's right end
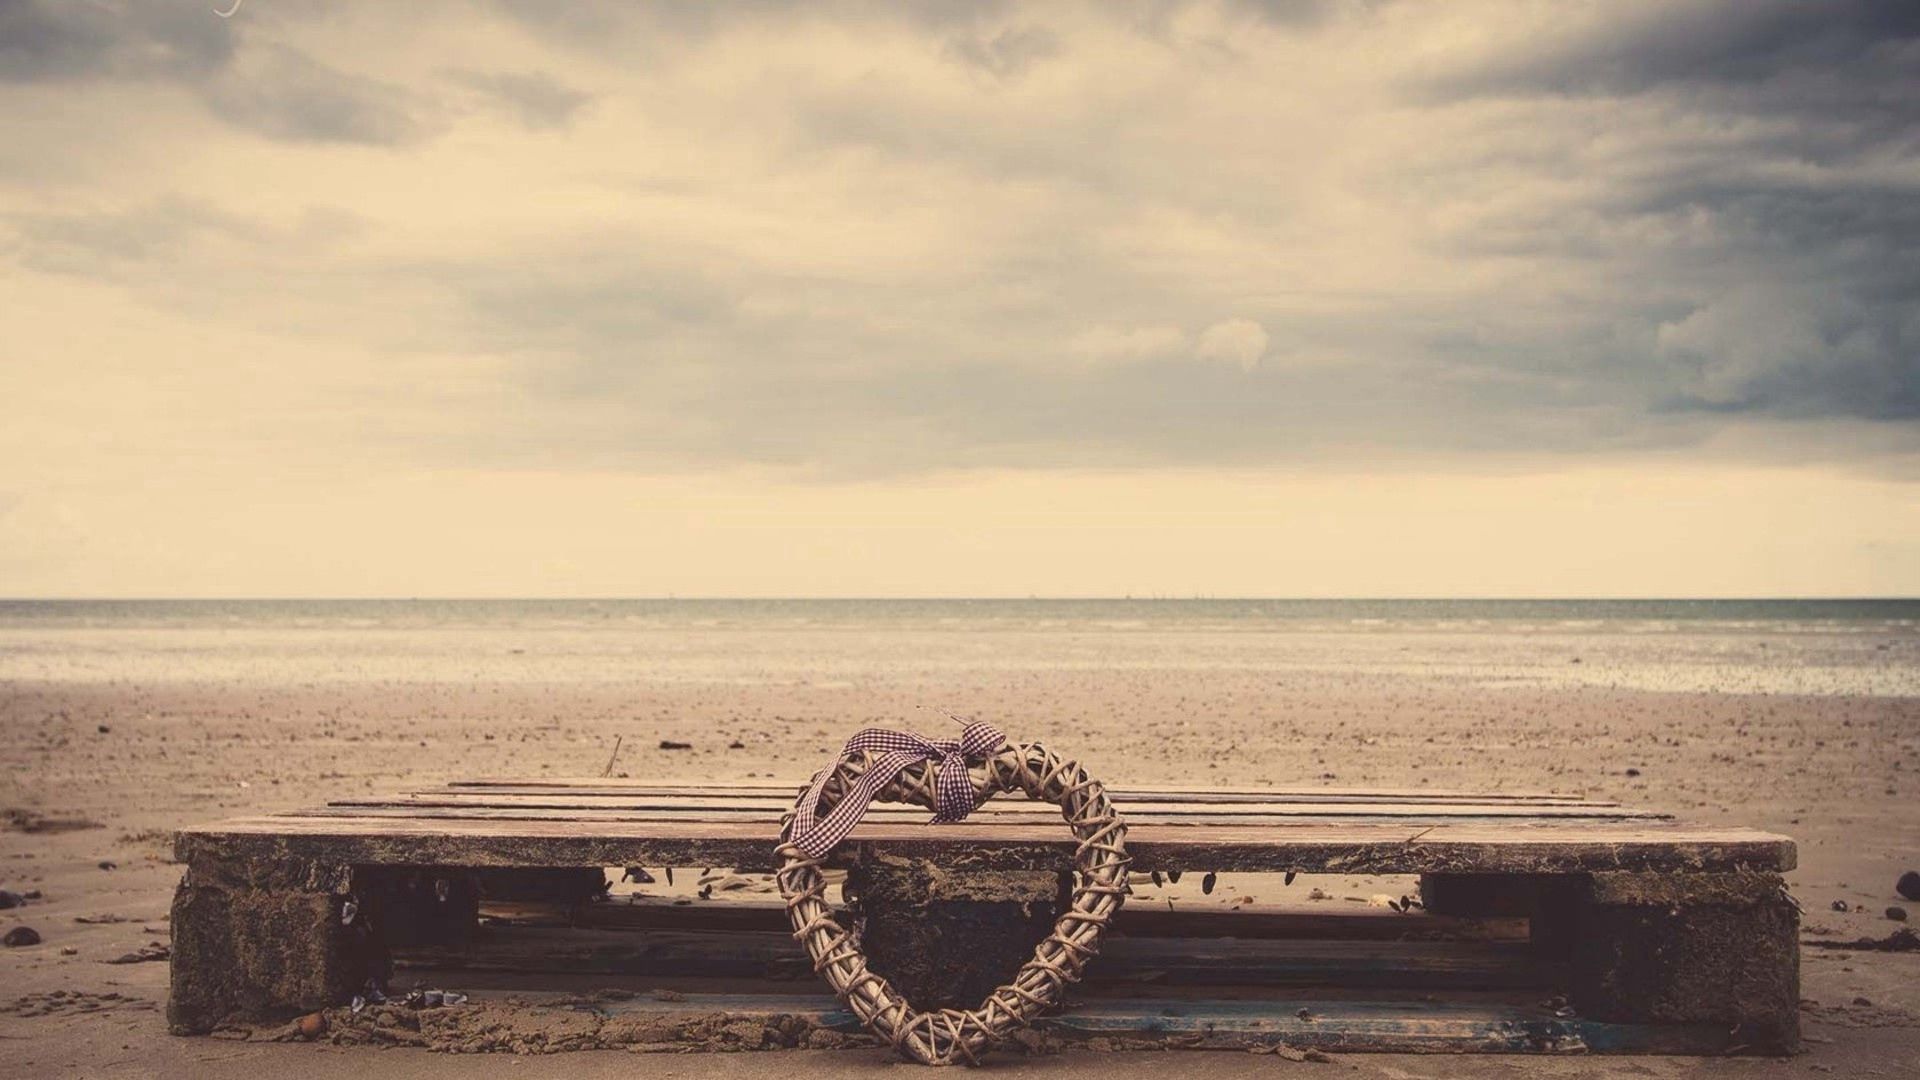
(1691, 948)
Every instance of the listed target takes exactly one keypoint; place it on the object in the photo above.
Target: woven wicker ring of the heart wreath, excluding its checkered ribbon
(953, 1037)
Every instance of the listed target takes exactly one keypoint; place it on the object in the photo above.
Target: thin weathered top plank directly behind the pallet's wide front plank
(771, 810)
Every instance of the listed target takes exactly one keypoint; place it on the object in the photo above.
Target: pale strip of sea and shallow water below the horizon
(1767, 647)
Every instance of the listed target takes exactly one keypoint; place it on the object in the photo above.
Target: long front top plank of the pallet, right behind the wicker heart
(1305, 847)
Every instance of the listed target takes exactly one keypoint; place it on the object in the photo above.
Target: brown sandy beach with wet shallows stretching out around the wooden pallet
(122, 729)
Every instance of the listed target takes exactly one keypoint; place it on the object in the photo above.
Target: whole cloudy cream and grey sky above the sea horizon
(1491, 299)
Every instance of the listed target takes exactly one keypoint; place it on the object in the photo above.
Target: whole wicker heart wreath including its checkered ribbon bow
(896, 768)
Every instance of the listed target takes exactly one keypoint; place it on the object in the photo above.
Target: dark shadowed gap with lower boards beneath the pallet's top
(1355, 981)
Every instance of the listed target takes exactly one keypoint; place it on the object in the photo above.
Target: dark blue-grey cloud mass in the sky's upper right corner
(1787, 230)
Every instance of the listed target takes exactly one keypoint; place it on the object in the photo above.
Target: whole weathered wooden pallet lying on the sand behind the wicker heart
(1666, 937)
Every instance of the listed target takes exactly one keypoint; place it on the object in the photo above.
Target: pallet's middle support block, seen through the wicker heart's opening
(946, 939)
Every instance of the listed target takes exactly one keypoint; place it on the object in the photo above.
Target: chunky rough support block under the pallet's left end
(262, 943)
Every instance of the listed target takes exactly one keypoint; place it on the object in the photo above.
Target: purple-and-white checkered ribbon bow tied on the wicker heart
(953, 789)
